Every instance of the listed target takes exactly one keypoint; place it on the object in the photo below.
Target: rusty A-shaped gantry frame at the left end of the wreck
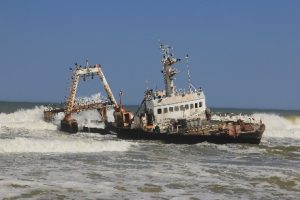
(68, 124)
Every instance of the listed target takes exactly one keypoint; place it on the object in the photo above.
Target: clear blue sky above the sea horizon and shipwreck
(242, 53)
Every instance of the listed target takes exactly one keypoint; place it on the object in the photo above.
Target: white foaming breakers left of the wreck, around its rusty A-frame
(25, 131)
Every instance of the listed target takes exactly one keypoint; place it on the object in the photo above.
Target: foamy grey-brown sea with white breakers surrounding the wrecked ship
(37, 161)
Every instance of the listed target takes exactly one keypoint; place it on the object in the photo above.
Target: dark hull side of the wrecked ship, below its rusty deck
(221, 137)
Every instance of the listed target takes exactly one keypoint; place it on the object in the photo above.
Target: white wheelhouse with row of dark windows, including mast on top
(161, 106)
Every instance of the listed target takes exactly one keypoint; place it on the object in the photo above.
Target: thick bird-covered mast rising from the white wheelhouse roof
(168, 71)
